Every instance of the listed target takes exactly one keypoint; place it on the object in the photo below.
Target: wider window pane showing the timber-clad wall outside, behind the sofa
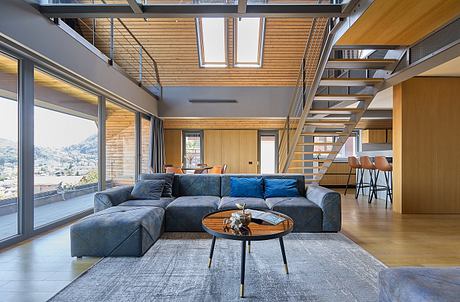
(120, 145)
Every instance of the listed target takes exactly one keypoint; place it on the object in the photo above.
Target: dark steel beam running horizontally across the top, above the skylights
(186, 10)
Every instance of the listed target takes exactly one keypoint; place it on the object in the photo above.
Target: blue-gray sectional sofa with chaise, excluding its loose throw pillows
(125, 227)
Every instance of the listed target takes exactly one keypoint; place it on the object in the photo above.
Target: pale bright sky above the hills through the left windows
(52, 129)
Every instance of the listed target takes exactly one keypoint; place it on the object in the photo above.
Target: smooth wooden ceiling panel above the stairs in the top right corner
(396, 22)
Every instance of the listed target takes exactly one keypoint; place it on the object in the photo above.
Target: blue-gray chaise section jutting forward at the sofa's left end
(117, 231)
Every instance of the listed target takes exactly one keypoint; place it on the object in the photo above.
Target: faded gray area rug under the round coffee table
(322, 267)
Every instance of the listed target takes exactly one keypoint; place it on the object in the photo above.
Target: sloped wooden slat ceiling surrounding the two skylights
(173, 44)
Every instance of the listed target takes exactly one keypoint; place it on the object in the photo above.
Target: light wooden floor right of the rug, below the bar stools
(402, 239)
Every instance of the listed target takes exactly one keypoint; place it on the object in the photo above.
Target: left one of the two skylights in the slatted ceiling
(212, 42)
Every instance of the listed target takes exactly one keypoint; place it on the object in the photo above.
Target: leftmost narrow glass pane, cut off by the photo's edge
(8, 147)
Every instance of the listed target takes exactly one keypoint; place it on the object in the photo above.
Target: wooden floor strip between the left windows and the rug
(38, 268)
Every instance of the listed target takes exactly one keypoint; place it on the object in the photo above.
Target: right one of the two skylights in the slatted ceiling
(248, 41)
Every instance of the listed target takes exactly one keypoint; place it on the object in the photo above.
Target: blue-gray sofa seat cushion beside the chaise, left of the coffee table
(184, 214)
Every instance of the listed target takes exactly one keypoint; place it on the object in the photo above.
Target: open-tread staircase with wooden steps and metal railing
(324, 113)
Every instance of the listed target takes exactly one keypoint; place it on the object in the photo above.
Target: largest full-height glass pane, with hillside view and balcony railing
(65, 149)
